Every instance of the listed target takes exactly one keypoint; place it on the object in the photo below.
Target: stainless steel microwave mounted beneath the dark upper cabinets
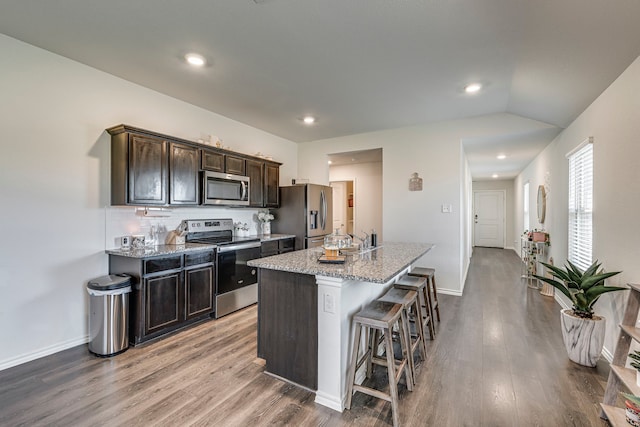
(225, 189)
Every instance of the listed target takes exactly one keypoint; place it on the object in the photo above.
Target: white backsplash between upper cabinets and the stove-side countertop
(129, 220)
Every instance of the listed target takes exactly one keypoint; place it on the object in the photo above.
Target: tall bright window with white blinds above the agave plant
(581, 204)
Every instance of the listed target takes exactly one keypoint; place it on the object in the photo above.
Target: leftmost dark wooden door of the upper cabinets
(147, 170)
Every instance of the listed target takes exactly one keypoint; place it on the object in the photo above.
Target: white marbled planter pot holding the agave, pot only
(583, 338)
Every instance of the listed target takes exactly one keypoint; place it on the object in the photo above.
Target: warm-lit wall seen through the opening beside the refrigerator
(367, 179)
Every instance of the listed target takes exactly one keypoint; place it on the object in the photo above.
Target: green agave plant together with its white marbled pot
(582, 331)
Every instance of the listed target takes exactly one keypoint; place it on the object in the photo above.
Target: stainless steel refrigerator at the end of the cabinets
(306, 210)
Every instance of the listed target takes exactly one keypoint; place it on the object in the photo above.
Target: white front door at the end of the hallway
(488, 207)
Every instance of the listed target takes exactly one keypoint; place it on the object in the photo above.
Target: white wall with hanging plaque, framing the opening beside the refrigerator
(435, 152)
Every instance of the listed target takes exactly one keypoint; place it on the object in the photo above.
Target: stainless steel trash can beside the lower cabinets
(109, 314)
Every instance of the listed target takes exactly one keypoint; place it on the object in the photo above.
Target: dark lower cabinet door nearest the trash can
(164, 302)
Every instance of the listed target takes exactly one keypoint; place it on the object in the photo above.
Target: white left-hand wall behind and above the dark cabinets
(54, 175)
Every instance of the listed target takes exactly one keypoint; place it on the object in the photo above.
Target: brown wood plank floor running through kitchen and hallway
(497, 360)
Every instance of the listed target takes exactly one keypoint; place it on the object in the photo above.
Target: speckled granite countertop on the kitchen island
(378, 265)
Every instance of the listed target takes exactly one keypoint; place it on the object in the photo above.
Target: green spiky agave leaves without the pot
(583, 288)
